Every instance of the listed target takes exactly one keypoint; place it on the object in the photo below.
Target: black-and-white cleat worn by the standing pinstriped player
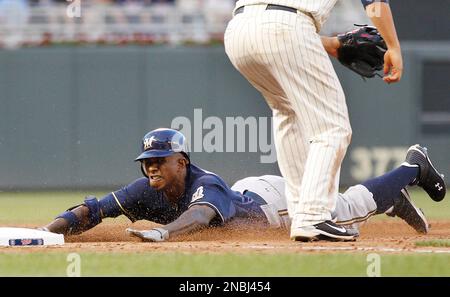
(323, 231)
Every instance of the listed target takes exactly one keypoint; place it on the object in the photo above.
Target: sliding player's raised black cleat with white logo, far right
(429, 178)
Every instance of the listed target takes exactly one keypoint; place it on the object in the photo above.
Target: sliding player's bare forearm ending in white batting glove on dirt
(193, 219)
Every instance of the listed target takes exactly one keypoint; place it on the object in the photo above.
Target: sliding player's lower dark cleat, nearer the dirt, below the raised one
(407, 211)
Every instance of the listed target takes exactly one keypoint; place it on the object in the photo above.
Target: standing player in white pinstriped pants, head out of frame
(275, 45)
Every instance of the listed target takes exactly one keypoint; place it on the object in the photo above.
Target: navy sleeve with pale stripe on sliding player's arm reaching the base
(125, 200)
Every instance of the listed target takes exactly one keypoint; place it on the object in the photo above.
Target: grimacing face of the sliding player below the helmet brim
(164, 172)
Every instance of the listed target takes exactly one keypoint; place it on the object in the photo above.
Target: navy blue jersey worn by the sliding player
(139, 201)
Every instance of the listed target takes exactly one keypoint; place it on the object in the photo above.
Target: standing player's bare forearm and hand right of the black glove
(381, 15)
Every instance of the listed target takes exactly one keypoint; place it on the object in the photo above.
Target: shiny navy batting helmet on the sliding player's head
(163, 142)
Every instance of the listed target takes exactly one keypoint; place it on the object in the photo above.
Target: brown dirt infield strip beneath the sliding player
(380, 236)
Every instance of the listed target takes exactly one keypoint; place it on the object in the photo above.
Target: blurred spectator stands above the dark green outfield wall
(42, 22)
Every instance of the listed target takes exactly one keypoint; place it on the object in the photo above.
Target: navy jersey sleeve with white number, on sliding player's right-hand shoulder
(208, 191)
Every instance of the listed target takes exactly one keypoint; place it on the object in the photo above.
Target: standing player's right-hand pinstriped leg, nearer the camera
(311, 85)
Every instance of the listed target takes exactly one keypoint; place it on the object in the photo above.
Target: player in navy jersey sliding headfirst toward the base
(184, 198)
